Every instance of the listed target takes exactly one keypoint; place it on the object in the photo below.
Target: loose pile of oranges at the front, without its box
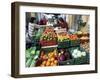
(49, 58)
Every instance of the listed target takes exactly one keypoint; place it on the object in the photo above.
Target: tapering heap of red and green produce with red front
(48, 37)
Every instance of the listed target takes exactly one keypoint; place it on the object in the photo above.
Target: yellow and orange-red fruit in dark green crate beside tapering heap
(67, 40)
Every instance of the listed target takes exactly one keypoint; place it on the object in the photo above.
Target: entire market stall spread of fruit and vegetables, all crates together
(55, 49)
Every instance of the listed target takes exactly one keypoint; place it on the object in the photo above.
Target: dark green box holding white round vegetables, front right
(79, 55)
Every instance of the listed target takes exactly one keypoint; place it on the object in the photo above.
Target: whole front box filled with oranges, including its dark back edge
(48, 57)
